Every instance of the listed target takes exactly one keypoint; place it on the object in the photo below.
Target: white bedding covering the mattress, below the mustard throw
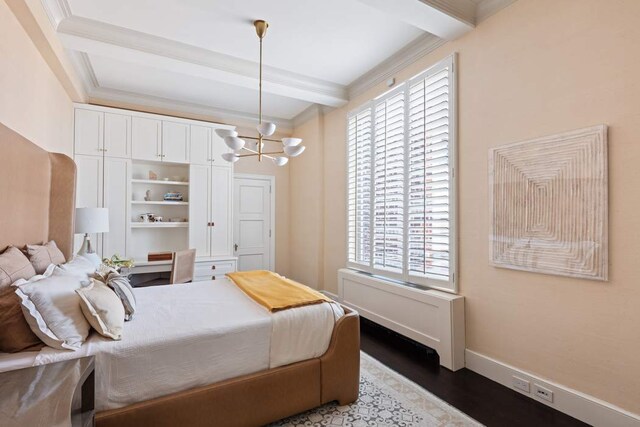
(185, 336)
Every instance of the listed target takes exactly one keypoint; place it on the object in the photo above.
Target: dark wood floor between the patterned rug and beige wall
(482, 399)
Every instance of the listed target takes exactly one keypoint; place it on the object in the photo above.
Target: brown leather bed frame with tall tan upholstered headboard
(38, 190)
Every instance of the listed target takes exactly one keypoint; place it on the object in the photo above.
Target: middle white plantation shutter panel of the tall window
(388, 184)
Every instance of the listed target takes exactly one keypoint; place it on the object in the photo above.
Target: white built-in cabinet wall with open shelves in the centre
(115, 150)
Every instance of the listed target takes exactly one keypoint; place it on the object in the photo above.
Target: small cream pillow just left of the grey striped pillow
(102, 309)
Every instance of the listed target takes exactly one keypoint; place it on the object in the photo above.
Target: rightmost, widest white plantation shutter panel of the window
(429, 177)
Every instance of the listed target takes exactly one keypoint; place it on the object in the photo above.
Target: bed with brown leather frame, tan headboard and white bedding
(196, 354)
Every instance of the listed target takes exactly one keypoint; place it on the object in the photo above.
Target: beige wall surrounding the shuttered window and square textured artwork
(536, 68)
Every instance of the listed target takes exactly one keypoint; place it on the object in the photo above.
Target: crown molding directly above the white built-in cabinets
(108, 96)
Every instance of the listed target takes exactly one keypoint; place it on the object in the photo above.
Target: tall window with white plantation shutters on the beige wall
(401, 199)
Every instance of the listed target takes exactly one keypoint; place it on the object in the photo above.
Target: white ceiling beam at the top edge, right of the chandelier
(447, 19)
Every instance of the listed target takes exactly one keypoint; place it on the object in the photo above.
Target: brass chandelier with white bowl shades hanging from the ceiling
(290, 146)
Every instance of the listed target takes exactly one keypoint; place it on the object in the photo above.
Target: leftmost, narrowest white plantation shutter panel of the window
(359, 188)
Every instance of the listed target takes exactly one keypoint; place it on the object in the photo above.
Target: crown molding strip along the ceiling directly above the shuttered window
(409, 54)
